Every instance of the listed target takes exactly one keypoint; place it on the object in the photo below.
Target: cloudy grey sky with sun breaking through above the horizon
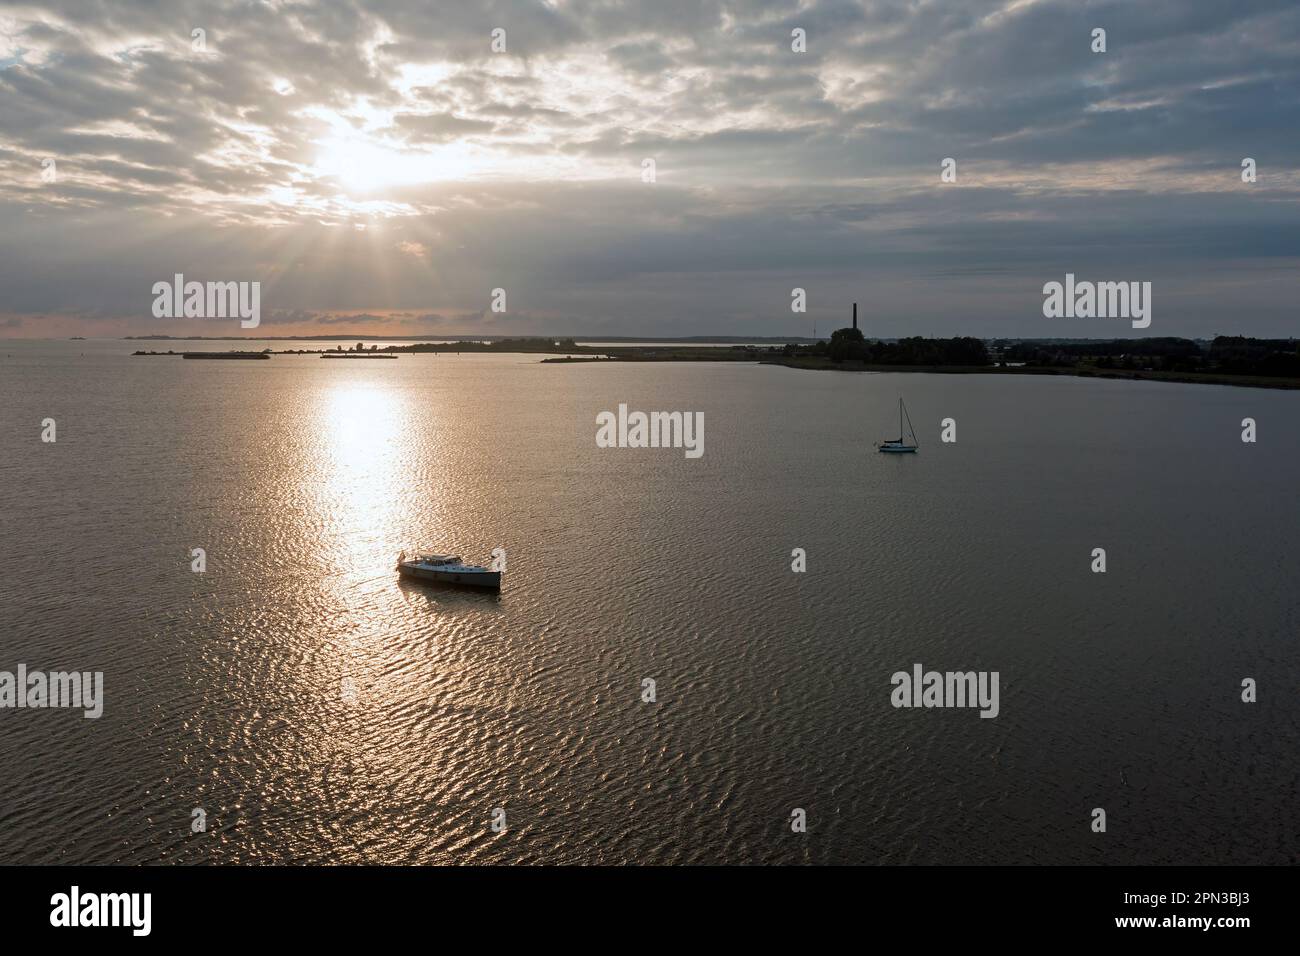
(379, 168)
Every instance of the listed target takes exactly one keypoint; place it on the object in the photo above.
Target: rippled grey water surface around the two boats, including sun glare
(302, 479)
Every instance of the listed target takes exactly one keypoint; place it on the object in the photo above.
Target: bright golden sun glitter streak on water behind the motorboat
(379, 673)
